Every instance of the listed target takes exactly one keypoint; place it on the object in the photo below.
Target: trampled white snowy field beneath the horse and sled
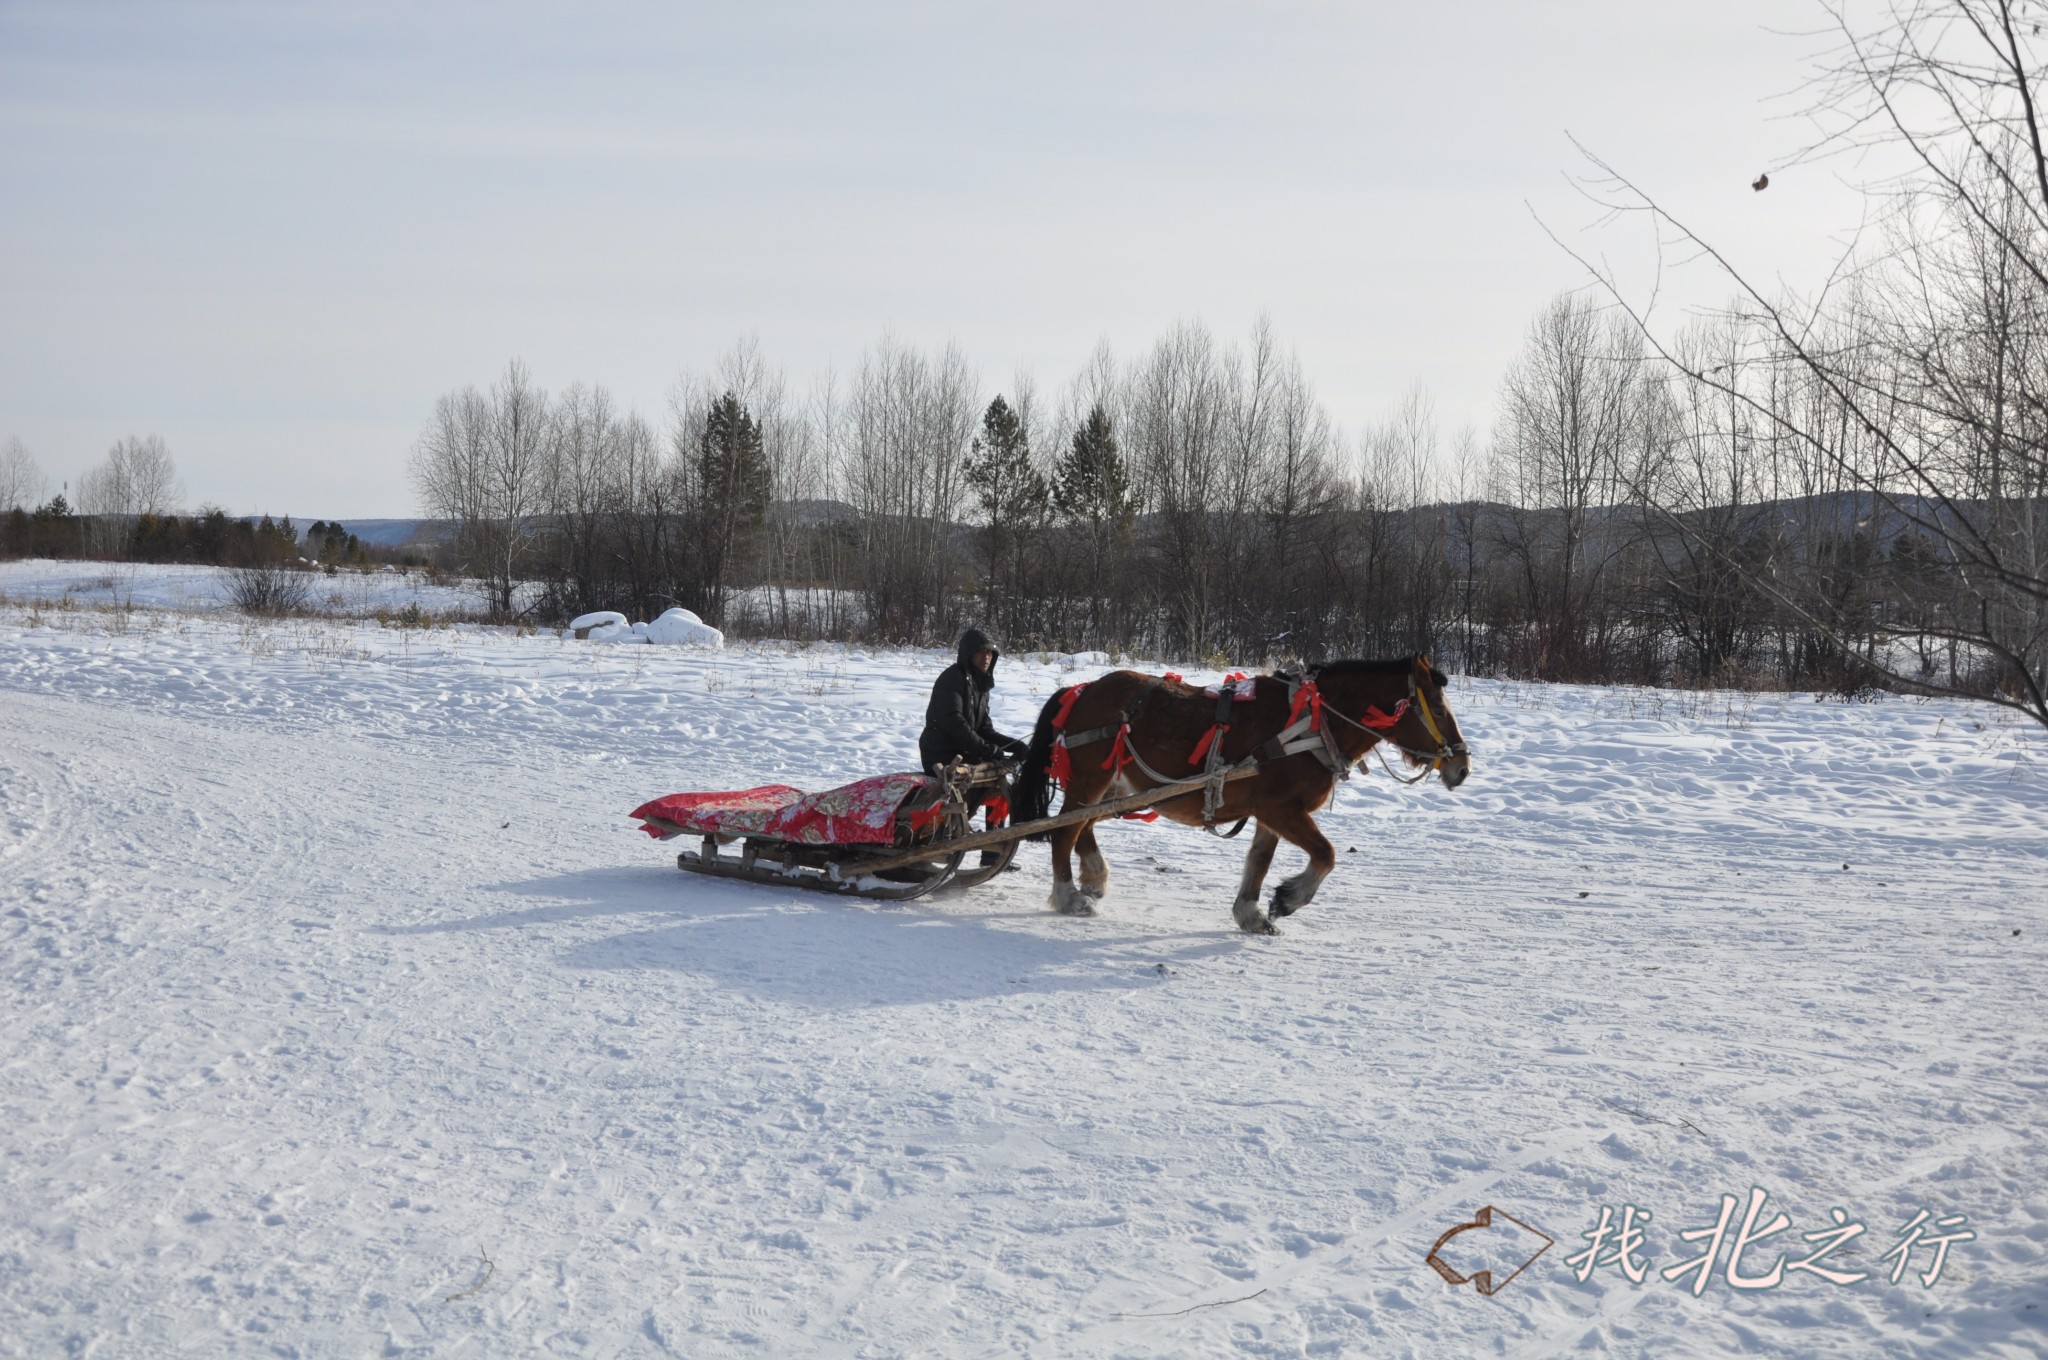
(343, 1013)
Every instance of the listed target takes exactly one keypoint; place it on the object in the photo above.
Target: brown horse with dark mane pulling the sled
(1287, 738)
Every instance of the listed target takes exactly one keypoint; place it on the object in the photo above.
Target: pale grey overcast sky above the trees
(278, 232)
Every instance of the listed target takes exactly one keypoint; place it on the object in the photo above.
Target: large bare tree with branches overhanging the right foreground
(1938, 419)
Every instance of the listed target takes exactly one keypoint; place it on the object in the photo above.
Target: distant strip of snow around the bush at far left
(130, 585)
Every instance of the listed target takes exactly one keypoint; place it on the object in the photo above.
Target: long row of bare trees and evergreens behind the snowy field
(1199, 501)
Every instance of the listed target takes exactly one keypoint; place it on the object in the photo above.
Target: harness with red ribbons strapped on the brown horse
(1306, 732)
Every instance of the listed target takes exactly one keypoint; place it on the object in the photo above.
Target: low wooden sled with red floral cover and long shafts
(890, 837)
